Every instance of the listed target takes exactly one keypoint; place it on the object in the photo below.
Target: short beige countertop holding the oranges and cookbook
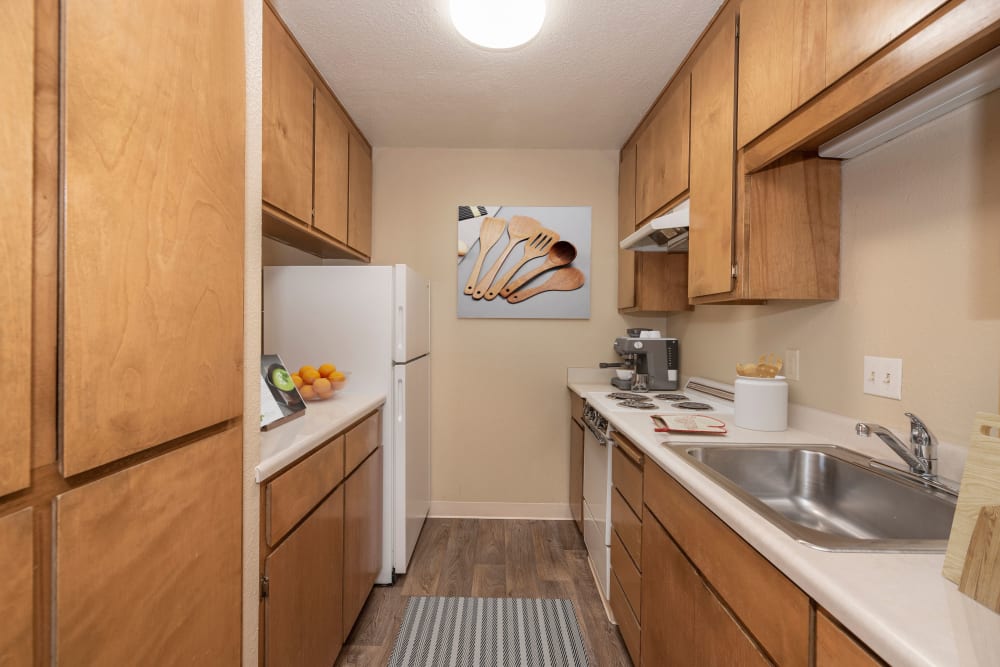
(323, 419)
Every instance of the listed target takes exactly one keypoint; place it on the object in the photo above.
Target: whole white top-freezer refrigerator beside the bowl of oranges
(374, 323)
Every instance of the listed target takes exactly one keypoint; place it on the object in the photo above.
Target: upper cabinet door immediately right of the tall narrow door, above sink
(782, 60)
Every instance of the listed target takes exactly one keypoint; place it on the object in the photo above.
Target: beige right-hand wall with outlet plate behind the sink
(920, 280)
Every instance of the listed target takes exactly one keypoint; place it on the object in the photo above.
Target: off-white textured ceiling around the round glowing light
(409, 79)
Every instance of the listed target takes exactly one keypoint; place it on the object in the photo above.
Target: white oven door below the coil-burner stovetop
(597, 505)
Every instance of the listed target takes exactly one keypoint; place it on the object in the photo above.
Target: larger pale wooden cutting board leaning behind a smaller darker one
(980, 487)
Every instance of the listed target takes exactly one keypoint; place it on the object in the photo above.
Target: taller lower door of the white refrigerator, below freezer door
(412, 460)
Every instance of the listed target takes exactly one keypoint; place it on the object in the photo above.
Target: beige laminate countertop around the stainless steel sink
(898, 604)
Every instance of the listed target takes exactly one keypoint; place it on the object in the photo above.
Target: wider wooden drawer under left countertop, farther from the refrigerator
(296, 491)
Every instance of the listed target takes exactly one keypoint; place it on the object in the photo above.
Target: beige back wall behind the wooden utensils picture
(500, 413)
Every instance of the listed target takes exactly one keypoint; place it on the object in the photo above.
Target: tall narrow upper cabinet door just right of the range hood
(713, 115)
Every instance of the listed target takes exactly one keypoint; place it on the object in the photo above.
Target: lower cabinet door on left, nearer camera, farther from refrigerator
(303, 611)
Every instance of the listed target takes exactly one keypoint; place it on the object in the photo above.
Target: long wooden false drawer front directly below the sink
(753, 588)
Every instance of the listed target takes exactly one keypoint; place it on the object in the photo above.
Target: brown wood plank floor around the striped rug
(489, 558)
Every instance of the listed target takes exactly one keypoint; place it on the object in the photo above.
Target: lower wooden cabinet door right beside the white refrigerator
(362, 535)
